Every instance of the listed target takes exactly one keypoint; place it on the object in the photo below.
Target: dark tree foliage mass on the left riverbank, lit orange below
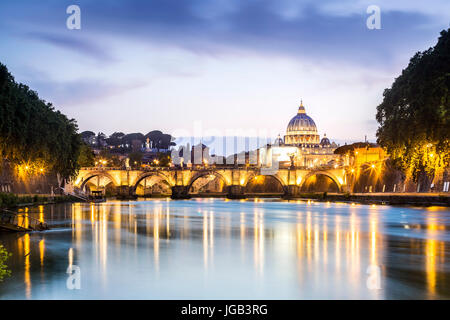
(32, 131)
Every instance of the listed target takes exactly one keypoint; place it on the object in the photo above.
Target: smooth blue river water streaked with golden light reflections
(220, 249)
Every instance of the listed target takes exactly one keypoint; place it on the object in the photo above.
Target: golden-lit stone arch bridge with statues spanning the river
(235, 179)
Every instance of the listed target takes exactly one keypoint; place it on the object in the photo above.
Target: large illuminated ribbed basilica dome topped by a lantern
(302, 130)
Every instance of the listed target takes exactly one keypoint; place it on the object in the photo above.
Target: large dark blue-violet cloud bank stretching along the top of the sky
(305, 29)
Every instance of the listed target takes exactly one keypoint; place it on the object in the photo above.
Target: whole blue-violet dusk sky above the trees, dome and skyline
(137, 66)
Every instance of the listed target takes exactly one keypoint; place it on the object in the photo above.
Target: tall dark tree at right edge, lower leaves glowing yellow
(414, 116)
